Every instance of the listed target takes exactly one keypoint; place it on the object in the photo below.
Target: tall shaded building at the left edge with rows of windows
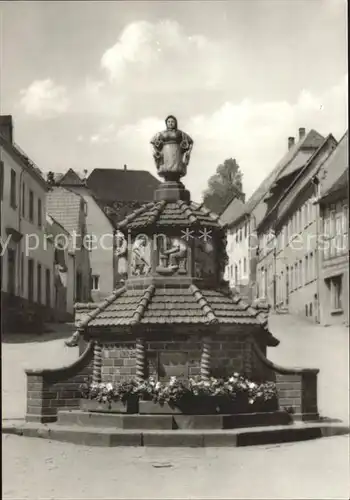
(27, 255)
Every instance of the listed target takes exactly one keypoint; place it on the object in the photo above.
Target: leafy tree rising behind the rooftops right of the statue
(223, 186)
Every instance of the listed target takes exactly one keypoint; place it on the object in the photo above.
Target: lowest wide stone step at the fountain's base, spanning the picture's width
(93, 436)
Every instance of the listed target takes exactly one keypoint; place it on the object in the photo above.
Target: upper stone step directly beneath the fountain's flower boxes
(171, 422)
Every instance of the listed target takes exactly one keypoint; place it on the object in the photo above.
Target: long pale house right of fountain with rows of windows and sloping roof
(288, 239)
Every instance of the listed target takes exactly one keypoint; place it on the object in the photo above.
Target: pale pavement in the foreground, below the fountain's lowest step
(38, 469)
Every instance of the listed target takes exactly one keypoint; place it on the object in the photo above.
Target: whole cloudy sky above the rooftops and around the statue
(89, 83)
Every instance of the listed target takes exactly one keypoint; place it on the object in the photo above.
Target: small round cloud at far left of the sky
(43, 98)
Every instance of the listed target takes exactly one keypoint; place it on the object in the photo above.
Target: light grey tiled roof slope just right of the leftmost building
(64, 206)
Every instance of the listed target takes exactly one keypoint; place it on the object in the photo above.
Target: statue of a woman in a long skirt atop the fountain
(172, 150)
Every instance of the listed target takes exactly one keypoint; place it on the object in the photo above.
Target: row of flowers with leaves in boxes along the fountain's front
(176, 390)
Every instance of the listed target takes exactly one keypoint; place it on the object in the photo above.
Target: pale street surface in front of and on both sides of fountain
(38, 468)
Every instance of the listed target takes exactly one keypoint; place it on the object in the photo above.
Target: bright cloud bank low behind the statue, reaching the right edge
(253, 132)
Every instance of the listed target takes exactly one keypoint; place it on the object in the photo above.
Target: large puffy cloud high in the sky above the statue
(161, 56)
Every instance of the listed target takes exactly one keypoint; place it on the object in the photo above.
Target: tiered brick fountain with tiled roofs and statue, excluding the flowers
(173, 316)
